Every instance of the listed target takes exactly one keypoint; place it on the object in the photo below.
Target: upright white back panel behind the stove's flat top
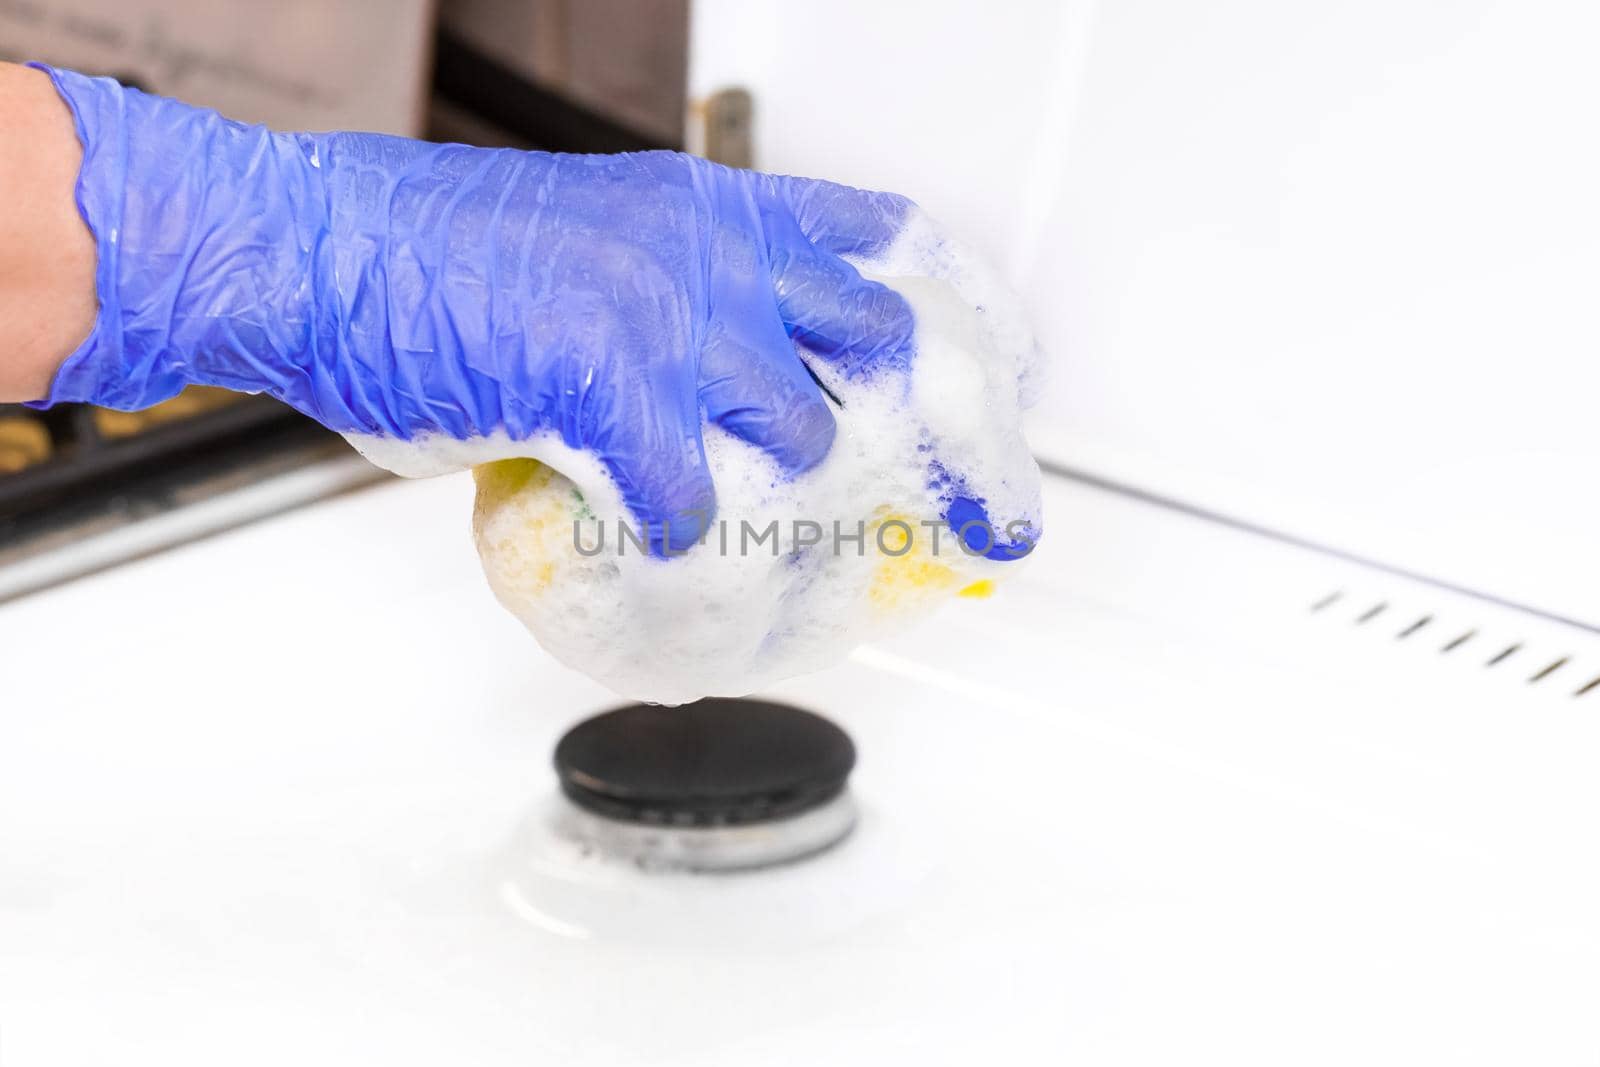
(1330, 266)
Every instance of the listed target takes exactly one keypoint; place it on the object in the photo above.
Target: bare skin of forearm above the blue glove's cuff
(47, 254)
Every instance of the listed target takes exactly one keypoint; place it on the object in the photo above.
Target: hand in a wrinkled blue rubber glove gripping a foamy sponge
(446, 306)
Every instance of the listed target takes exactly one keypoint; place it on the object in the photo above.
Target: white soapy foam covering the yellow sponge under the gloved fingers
(732, 615)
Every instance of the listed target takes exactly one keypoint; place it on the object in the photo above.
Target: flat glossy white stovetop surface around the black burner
(266, 799)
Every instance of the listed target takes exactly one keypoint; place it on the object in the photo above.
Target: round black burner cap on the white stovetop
(716, 762)
